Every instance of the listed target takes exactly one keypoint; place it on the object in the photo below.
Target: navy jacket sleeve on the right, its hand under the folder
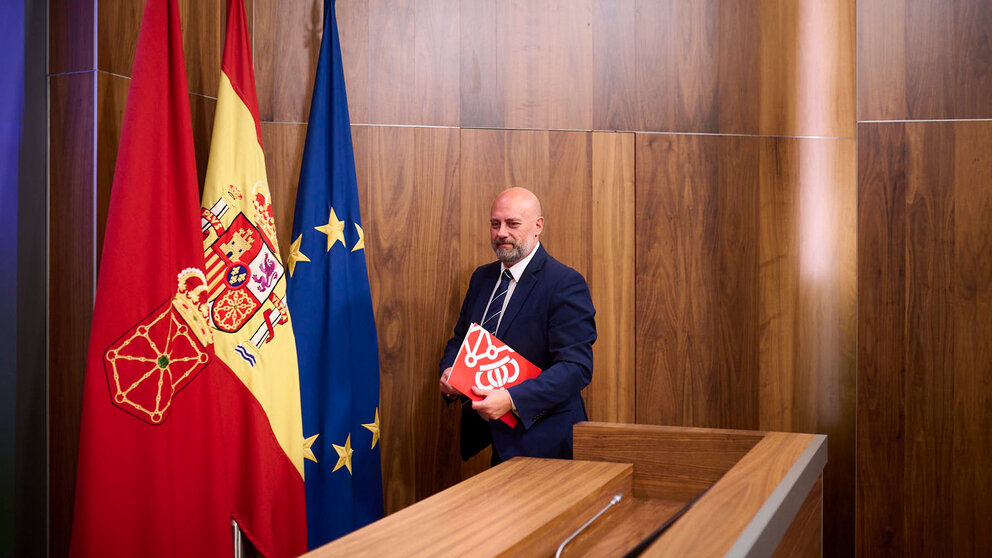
(571, 333)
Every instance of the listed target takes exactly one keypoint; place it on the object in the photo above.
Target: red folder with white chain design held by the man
(487, 363)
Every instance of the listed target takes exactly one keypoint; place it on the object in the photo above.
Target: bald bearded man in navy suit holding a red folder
(542, 309)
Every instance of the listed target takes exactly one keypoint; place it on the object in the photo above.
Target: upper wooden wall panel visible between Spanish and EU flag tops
(286, 47)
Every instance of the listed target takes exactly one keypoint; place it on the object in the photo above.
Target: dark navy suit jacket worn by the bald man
(549, 320)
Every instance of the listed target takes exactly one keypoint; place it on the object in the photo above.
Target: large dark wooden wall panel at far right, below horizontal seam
(923, 339)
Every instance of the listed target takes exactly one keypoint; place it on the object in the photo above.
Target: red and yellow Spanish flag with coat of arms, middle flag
(246, 279)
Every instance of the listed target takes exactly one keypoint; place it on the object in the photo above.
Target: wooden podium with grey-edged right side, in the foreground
(764, 498)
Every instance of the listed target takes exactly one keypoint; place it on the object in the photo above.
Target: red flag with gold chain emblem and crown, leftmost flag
(173, 444)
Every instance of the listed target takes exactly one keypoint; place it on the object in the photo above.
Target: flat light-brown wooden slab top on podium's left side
(529, 506)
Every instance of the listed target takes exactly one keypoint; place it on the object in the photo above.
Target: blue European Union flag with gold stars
(331, 309)
